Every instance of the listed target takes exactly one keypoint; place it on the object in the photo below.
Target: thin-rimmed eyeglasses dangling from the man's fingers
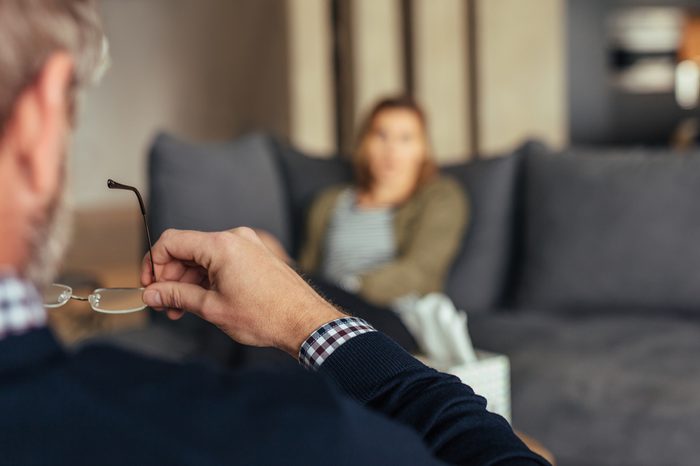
(106, 300)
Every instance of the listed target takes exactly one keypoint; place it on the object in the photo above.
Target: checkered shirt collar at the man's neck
(21, 309)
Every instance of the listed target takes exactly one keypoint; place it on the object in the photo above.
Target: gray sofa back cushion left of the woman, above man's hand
(217, 186)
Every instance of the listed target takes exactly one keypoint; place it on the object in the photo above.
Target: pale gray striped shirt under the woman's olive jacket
(357, 240)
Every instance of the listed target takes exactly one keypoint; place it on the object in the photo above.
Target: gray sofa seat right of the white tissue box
(602, 389)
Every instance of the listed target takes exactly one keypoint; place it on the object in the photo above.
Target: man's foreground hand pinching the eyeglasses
(233, 281)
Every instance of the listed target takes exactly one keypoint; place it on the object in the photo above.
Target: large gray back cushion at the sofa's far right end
(615, 231)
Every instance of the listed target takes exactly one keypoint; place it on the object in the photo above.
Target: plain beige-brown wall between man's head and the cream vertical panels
(197, 68)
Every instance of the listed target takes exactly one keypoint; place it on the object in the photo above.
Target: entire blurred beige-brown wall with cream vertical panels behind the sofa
(489, 72)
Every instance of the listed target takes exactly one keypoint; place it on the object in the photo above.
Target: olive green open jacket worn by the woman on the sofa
(428, 227)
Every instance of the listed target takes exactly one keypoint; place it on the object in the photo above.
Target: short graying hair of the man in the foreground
(32, 30)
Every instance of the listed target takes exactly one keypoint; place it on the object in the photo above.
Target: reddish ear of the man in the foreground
(40, 124)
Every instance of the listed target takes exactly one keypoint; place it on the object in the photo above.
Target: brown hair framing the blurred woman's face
(363, 176)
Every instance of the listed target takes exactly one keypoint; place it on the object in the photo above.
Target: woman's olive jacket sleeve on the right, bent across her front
(433, 242)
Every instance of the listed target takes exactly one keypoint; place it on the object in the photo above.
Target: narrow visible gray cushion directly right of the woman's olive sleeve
(479, 272)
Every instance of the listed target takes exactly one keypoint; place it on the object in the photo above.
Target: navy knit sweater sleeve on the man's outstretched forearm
(446, 414)
